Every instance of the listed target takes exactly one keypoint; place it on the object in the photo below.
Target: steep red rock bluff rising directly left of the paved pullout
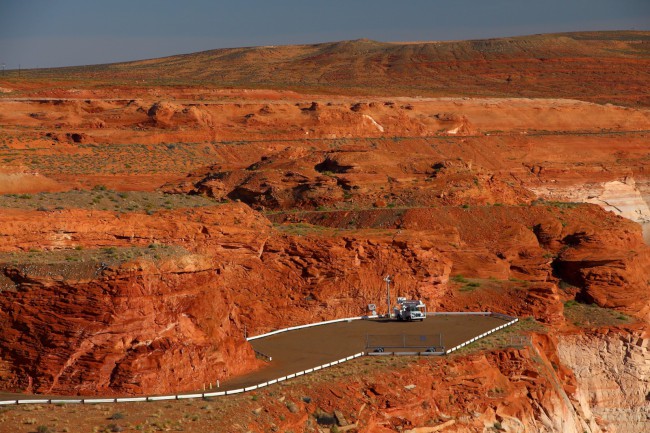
(139, 328)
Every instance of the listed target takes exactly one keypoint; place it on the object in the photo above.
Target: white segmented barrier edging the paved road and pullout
(253, 387)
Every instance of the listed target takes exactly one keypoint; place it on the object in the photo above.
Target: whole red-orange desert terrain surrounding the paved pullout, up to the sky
(155, 213)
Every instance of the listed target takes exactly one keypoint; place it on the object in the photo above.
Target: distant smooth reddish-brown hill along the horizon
(594, 66)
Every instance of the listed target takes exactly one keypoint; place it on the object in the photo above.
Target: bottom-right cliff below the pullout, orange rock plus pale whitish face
(541, 385)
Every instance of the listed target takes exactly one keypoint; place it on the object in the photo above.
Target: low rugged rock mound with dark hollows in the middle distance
(300, 178)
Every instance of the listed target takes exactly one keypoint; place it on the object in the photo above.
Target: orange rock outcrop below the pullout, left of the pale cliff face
(513, 390)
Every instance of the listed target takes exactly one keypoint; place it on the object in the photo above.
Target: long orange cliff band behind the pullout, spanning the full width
(177, 323)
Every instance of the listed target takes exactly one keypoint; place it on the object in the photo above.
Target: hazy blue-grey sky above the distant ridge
(49, 33)
